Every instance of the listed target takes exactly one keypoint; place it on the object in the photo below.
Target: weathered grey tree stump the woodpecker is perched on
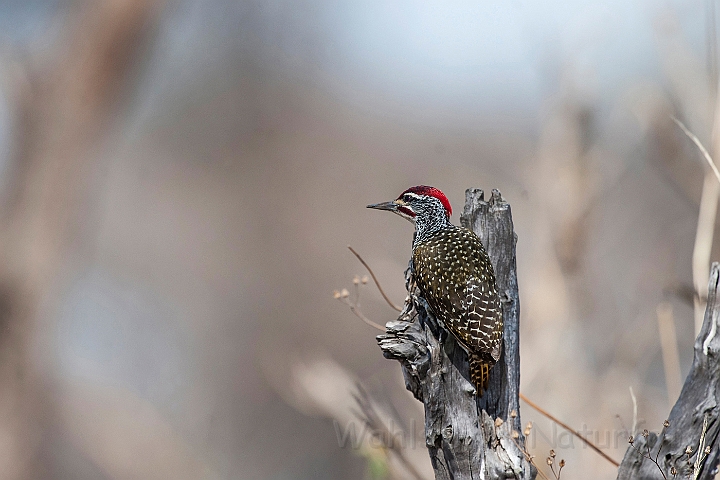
(467, 437)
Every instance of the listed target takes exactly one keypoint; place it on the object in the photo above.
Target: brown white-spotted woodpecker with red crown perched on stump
(455, 277)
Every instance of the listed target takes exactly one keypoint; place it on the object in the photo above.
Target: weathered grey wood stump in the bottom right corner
(699, 399)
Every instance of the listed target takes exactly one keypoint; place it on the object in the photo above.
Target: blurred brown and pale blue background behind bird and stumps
(179, 181)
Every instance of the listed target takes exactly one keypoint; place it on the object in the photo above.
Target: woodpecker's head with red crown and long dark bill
(421, 201)
